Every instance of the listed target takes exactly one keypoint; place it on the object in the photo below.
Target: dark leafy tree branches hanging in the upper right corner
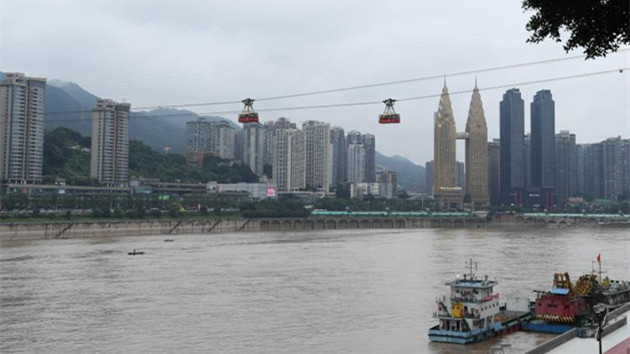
(598, 26)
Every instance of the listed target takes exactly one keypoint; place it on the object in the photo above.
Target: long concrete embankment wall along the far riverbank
(89, 229)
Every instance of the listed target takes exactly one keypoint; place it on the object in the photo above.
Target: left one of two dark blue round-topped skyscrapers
(512, 157)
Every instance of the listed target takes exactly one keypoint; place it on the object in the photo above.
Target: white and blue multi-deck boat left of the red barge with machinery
(472, 312)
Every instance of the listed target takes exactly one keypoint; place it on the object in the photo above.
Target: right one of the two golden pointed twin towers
(476, 185)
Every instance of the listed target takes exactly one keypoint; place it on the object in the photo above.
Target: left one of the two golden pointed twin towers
(447, 193)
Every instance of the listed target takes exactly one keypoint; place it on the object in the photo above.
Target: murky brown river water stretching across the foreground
(360, 291)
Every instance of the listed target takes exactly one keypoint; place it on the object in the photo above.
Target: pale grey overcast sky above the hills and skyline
(151, 52)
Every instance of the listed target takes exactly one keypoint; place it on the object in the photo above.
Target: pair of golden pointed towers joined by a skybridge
(446, 192)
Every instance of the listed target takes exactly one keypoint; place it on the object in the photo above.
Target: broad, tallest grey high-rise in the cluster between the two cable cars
(317, 138)
